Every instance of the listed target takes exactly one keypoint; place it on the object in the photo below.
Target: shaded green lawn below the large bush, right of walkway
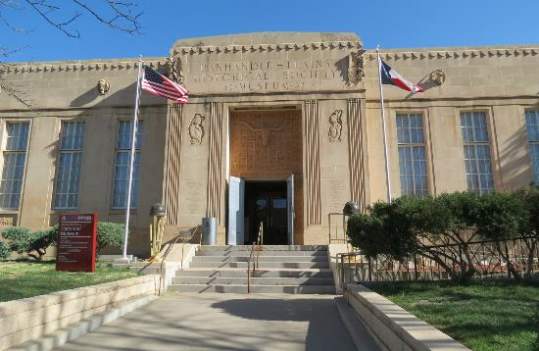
(485, 316)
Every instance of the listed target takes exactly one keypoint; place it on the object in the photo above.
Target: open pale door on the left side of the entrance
(236, 209)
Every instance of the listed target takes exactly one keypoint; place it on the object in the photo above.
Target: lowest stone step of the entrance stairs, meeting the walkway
(242, 288)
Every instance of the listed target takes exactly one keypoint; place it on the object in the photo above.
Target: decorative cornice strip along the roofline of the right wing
(456, 53)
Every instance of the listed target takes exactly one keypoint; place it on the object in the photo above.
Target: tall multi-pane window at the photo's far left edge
(14, 160)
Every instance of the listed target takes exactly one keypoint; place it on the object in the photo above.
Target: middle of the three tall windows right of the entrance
(477, 152)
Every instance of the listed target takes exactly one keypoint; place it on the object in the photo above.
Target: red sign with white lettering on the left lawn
(76, 243)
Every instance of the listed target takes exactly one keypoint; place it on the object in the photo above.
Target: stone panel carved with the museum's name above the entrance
(278, 70)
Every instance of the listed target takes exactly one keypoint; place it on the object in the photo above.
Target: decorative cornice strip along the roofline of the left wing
(74, 66)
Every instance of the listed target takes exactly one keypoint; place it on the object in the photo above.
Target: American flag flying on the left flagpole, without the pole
(159, 85)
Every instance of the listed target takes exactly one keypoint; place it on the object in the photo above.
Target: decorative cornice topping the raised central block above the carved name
(322, 45)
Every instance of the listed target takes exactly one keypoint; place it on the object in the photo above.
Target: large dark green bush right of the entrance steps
(442, 228)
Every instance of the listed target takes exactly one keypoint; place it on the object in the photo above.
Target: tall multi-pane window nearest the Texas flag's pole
(412, 159)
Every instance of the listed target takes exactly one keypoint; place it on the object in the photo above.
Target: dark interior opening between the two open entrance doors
(265, 202)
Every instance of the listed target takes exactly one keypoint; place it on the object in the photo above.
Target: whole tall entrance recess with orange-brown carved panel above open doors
(265, 148)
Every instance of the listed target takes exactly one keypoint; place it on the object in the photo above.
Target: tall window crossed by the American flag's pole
(121, 175)
